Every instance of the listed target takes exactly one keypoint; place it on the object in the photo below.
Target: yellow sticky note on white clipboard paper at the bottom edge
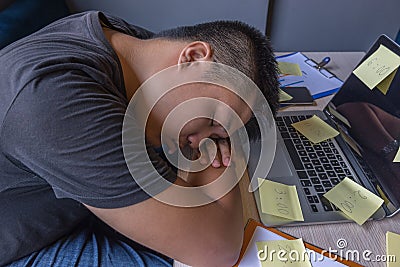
(281, 253)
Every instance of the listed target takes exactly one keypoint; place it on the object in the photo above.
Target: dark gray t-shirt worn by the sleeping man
(62, 104)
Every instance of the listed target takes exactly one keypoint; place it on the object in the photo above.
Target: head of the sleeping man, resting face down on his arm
(234, 44)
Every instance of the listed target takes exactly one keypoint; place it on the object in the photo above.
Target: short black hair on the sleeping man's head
(237, 45)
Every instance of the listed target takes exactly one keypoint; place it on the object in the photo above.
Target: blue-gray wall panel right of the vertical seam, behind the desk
(334, 25)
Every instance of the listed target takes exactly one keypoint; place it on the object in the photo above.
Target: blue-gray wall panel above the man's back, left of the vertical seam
(157, 15)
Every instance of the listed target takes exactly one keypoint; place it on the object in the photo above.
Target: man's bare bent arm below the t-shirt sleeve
(209, 235)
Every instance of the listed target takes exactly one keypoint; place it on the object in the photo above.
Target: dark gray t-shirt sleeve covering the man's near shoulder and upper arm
(67, 130)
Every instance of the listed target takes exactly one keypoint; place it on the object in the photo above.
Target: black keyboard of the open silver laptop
(319, 167)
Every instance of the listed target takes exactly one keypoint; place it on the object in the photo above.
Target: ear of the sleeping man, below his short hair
(196, 51)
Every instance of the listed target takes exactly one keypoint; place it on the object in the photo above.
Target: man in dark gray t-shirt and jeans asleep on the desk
(71, 193)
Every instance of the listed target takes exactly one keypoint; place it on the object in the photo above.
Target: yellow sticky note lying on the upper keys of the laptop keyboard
(315, 129)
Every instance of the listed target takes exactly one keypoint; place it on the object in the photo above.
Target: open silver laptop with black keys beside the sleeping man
(366, 120)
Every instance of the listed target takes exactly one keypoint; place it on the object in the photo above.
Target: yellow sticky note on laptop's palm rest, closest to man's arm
(280, 200)
